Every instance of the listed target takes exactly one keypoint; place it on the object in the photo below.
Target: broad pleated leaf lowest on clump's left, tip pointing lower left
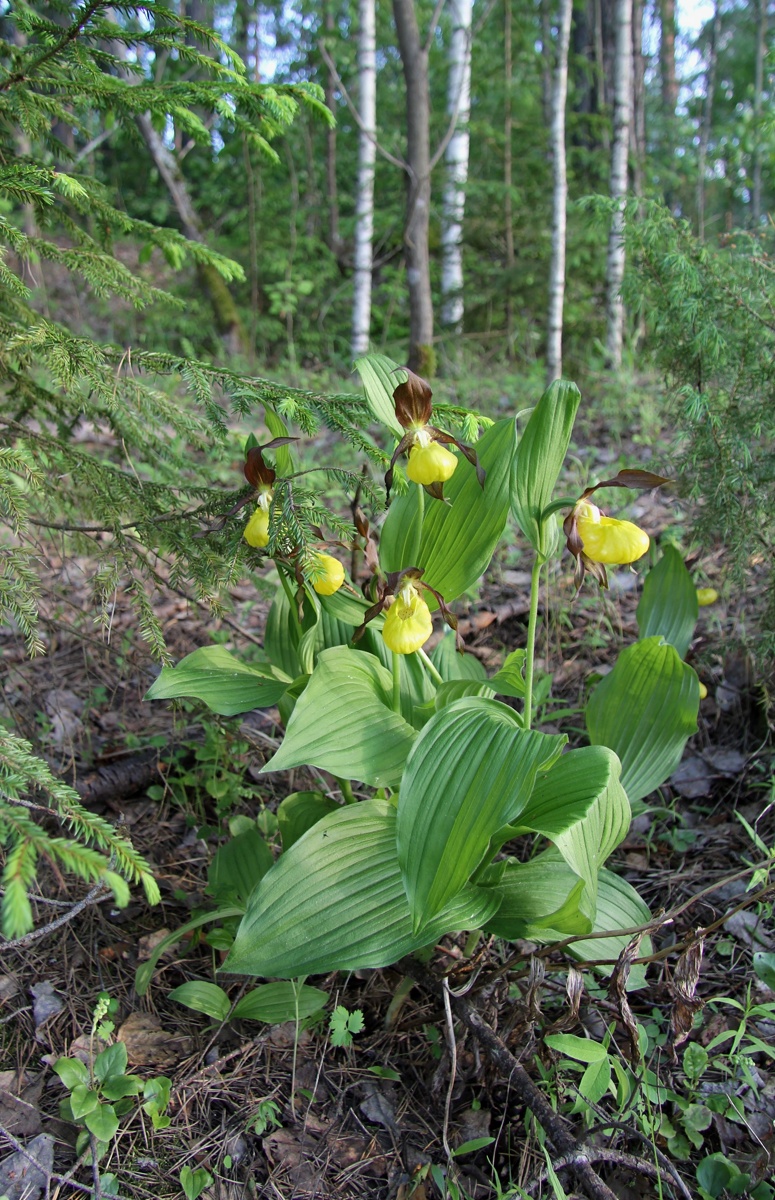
(337, 902)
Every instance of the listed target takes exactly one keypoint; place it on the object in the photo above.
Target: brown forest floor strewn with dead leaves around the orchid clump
(278, 1112)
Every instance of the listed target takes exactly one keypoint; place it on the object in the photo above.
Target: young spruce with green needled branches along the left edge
(137, 500)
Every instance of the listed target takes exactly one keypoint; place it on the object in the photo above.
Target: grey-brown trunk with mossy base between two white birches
(414, 59)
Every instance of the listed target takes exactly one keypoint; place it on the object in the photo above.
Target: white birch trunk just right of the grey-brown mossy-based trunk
(459, 103)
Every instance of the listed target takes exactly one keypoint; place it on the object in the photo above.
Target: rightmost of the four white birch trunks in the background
(620, 147)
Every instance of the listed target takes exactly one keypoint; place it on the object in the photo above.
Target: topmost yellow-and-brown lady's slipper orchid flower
(430, 463)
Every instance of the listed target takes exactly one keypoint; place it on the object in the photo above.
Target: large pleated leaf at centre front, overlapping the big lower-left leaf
(470, 773)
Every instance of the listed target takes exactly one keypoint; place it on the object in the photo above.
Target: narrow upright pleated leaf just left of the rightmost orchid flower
(539, 461)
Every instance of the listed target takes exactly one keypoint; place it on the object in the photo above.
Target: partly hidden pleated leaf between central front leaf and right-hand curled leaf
(539, 901)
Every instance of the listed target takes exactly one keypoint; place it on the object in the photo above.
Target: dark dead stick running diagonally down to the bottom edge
(498, 1053)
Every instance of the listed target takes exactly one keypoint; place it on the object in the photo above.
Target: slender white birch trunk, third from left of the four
(560, 202)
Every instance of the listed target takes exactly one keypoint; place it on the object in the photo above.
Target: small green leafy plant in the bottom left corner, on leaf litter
(101, 1093)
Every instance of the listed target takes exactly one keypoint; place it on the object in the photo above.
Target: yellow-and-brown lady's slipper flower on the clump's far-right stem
(598, 542)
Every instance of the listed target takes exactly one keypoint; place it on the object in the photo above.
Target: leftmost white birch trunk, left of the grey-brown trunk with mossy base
(365, 195)
